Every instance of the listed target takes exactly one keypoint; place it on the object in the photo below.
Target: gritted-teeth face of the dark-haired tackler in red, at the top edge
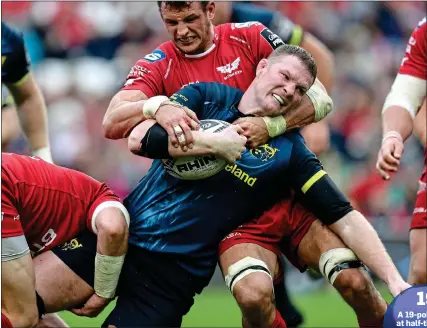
(190, 27)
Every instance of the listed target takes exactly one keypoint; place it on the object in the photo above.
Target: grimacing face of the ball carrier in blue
(282, 84)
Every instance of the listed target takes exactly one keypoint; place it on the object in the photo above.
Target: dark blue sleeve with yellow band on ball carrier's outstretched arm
(313, 185)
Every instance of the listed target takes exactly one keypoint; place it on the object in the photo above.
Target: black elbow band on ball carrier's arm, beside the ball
(155, 143)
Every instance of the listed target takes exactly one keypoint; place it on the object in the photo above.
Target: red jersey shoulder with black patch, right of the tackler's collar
(262, 41)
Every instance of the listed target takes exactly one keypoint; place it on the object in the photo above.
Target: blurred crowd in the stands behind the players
(81, 53)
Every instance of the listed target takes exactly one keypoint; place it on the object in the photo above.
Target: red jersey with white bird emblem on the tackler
(232, 60)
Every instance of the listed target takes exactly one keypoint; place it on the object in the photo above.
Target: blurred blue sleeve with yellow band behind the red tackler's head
(289, 32)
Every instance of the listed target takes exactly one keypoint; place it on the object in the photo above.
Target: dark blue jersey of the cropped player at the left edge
(14, 59)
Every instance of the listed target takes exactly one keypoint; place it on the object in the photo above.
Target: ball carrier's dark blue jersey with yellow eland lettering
(190, 218)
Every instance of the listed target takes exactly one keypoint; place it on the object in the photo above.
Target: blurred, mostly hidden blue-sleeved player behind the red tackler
(316, 135)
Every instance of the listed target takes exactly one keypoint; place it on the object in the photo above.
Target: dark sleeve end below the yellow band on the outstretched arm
(326, 201)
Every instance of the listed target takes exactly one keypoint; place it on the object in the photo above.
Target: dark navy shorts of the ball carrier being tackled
(153, 291)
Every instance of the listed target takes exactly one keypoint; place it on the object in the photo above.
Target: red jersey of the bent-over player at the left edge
(49, 204)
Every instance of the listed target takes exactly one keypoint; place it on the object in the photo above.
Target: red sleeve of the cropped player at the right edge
(415, 61)
